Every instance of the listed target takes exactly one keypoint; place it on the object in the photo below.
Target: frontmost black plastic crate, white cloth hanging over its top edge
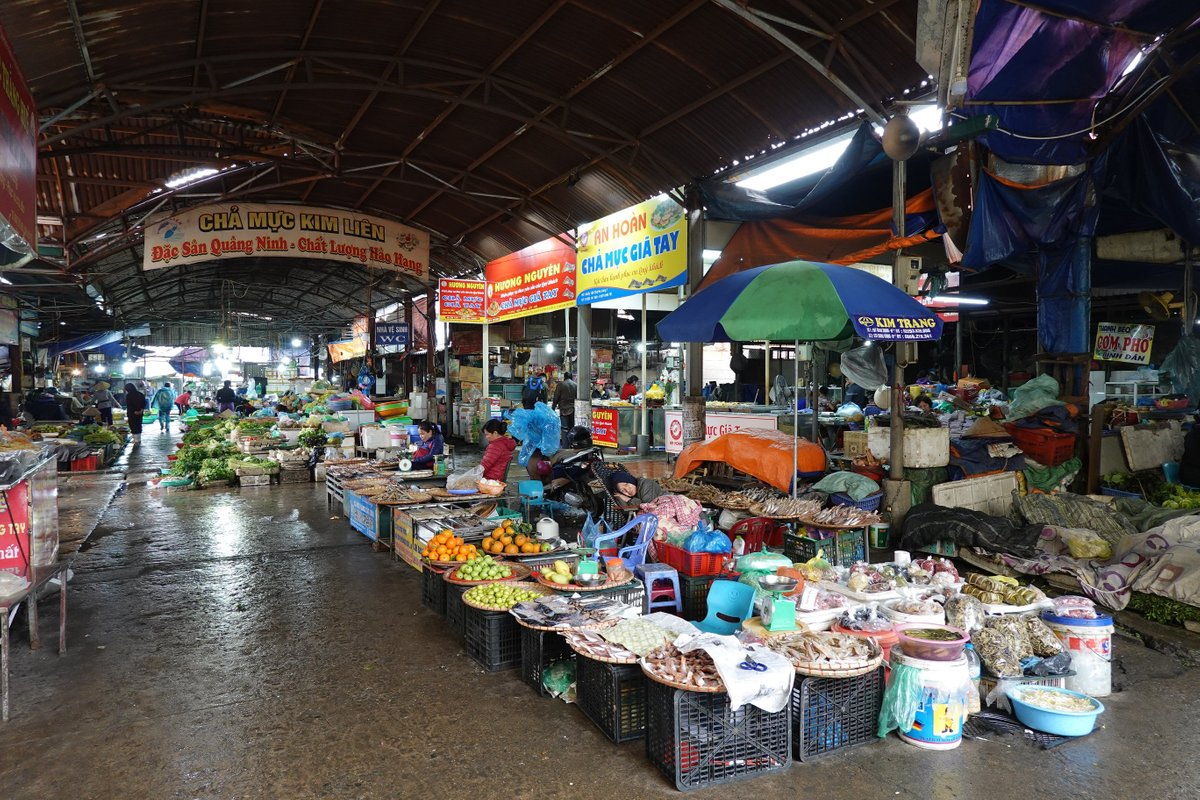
(697, 739)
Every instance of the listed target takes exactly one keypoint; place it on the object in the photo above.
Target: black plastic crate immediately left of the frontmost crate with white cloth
(613, 696)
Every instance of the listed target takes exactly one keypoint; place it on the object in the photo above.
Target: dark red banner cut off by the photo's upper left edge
(19, 149)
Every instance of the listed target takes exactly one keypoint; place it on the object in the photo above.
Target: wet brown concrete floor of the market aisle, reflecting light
(241, 643)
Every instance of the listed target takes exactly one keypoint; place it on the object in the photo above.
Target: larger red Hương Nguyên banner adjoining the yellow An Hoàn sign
(532, 281)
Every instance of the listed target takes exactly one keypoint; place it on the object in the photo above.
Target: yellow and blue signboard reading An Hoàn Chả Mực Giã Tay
(643, 249)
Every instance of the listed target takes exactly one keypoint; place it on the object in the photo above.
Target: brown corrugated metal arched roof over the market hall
(488, 124)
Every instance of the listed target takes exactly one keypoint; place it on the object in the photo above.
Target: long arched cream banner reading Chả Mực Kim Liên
(227, 231)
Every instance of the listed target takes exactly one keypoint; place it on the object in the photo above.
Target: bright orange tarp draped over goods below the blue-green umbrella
(755, 452)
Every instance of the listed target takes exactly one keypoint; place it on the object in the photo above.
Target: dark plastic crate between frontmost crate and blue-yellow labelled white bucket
(835, 714)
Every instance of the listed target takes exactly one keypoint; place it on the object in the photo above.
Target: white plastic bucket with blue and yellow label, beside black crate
(943, 707)
